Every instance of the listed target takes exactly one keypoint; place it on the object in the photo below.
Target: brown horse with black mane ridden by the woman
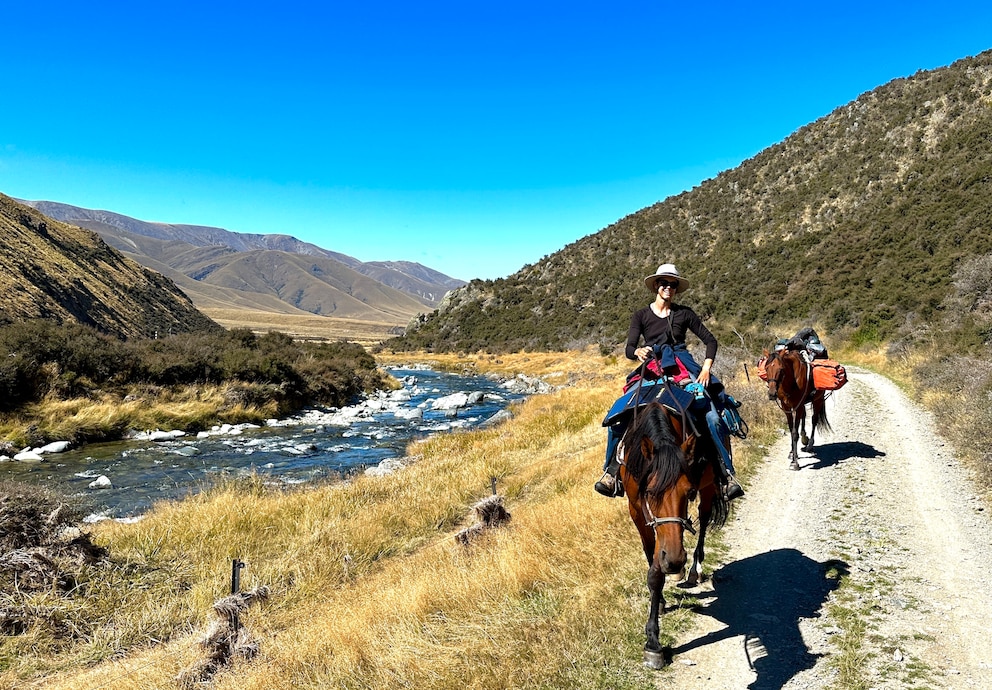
(664, 468)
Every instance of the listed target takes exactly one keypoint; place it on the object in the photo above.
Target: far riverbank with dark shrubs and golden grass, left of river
(70, 383)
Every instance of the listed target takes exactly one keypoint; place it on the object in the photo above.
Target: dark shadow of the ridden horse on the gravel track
(762, 599)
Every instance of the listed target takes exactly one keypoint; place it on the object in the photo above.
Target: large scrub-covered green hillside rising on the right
(857, 222)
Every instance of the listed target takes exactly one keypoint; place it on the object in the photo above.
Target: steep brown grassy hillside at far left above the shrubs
(55, 271)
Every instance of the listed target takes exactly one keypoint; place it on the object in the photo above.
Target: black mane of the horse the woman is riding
(667, 462)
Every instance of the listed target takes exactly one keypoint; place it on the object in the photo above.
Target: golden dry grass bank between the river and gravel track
(367, 585)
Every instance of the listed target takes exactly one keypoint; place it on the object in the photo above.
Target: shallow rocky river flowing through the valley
(315, 445)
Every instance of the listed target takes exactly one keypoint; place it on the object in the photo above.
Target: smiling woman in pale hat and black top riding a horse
(663, 325)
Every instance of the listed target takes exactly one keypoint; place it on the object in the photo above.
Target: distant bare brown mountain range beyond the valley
(338, 284)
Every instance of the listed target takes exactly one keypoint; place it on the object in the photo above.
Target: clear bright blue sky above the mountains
(473, 137)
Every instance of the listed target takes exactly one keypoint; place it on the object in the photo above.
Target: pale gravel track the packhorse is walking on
(881, 498)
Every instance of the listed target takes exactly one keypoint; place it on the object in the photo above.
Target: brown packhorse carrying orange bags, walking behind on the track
(790, 384)
